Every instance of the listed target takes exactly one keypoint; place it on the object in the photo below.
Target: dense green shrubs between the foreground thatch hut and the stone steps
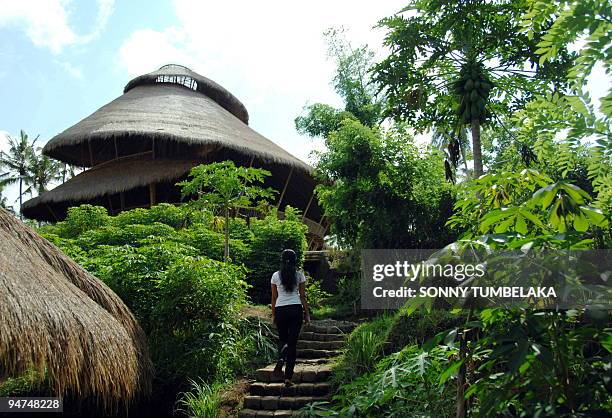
(166, 263)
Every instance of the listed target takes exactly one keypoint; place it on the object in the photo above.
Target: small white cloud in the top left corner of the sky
(46, 22)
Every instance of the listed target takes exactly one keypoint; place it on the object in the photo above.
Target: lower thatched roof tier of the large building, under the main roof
(111, 178)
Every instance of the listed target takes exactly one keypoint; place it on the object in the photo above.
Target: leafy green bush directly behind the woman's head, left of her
(271, 237)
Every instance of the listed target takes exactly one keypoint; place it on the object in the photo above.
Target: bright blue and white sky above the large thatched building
(60, 60)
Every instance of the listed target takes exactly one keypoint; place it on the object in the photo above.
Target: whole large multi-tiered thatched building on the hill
(164, 122)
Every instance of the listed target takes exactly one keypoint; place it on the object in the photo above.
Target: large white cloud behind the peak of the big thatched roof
(270, 54)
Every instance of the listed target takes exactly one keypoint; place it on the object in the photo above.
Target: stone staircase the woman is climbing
(319, 343)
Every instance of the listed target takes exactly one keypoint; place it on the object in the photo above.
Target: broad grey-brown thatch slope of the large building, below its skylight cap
(165, 111)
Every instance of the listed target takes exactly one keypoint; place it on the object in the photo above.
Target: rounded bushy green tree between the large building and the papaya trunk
(381, 191)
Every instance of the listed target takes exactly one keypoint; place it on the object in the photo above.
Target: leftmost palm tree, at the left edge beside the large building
(16, 162)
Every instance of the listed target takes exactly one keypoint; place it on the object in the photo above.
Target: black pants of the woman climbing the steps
(288, 323)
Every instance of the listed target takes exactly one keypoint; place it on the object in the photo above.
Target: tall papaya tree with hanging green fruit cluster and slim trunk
(462, 63)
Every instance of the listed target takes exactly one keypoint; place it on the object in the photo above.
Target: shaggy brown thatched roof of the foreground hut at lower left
(56, 317)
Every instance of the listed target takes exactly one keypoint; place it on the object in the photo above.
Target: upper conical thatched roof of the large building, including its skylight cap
(164, 112)
